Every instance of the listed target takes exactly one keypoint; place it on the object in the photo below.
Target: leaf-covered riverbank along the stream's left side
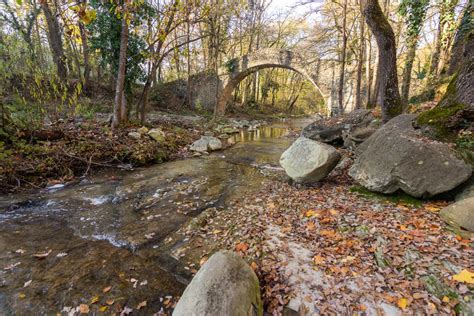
(66, 151)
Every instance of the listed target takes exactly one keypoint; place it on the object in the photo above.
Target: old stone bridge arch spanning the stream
(235, 70)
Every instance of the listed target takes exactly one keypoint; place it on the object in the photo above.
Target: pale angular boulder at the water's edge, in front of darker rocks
(307, 161)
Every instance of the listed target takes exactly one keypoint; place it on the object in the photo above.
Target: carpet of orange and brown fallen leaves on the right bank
(342, 231)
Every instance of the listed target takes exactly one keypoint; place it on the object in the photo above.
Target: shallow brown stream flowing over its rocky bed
(62, 246)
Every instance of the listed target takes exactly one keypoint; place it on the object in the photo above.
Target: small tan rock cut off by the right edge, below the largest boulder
(460, 214)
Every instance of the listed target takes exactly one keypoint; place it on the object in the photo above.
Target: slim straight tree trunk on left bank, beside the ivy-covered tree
(119, 107)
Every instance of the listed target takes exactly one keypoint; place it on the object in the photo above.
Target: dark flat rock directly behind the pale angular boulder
(331, 130)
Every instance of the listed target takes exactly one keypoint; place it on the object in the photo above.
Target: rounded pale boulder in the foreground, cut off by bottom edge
(225, 285)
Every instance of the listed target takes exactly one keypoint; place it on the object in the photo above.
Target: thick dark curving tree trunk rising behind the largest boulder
(388, 94)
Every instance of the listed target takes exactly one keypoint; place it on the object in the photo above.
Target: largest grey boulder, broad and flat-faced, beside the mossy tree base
(397, 157)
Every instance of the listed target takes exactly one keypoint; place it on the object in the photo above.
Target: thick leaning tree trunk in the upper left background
(55, 41)
